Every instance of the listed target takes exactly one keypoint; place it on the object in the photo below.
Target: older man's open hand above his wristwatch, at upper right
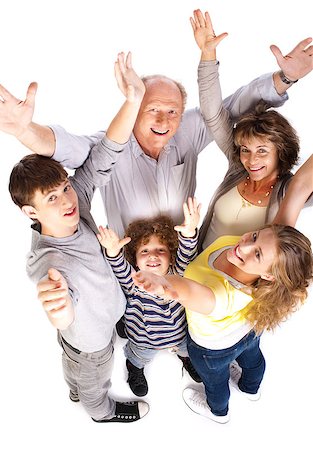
(297, 63)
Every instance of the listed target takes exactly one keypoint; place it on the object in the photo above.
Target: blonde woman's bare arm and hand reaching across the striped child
(190, 294)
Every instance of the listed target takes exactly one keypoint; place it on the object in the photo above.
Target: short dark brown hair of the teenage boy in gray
(33, 173)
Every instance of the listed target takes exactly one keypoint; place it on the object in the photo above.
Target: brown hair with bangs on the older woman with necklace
(267, 124)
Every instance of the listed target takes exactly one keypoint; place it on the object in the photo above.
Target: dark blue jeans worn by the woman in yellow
(213, 368)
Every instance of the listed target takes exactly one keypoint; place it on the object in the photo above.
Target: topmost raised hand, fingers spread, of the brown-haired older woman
(204, 33)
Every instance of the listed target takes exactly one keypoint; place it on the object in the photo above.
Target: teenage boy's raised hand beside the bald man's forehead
(128, 81)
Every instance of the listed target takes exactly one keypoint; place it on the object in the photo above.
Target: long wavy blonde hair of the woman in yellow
(292, 269)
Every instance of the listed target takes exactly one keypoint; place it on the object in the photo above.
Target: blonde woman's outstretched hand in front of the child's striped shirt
(154, 284)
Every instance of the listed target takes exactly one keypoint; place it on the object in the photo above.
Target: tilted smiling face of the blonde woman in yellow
(255, 253)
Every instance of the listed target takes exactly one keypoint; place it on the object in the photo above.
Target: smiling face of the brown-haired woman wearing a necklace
(260, 159)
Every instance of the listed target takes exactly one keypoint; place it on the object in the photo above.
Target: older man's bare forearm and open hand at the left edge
(16, 119)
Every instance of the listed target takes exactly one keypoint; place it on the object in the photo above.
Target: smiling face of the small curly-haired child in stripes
(153, 256)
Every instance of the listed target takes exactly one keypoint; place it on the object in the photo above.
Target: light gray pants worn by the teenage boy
(89, 376)
